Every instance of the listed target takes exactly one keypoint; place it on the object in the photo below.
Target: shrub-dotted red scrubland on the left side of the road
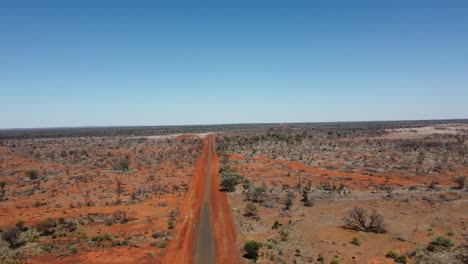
(92, 199)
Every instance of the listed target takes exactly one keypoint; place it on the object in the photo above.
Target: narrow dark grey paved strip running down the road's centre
(205, 243)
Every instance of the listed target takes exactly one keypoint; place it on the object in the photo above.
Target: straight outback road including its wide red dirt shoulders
(206, 215)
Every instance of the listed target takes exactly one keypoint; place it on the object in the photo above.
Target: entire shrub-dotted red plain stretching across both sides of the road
(391, 192)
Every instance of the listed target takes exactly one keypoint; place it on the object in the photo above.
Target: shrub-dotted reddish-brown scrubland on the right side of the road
(317, 195)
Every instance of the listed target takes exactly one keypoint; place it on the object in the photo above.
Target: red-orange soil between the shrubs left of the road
(62, 189)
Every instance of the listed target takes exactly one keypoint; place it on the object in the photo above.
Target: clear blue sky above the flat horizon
(97, 63)
